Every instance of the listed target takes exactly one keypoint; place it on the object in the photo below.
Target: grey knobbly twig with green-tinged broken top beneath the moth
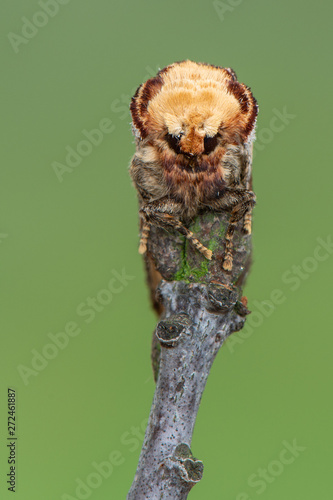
(202, 305)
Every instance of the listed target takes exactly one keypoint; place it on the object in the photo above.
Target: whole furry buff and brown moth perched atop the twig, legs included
(194, 125)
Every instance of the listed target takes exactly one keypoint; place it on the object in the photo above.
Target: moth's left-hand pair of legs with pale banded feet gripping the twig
(160, 214)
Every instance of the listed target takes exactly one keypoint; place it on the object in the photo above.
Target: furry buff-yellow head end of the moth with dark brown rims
(192, 109)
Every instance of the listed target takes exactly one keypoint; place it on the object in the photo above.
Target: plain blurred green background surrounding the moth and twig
(61, 241)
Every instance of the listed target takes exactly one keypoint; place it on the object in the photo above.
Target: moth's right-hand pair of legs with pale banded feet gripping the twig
(241, 203)
